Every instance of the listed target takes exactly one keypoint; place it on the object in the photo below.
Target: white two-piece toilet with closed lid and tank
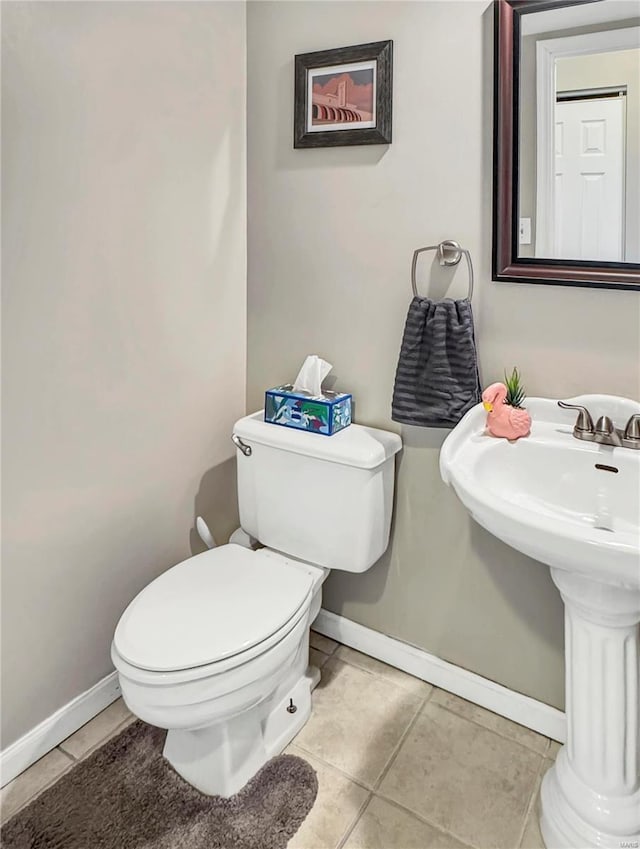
(216, 648)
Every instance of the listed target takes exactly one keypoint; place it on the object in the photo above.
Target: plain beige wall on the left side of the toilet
(124, 318)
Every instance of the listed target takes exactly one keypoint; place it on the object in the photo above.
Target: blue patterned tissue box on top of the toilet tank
(326, 414)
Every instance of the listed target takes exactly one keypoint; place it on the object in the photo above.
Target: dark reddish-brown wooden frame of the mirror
(506, 264)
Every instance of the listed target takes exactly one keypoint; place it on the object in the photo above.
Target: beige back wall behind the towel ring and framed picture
(331, 233)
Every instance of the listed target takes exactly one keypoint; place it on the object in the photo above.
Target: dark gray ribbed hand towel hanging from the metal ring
(437, 376)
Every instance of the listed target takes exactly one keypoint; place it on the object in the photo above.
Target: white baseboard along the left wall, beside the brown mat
(52, 731)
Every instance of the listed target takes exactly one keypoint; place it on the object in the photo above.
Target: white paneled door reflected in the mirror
(589, 179)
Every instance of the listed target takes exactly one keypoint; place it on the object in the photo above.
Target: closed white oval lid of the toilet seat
(210, 607)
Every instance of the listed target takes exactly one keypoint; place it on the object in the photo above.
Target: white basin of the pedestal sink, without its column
(571, 504)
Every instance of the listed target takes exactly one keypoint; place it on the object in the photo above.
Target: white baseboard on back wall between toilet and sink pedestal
(522, 709)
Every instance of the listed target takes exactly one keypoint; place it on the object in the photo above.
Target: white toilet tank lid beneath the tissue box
(357, 445)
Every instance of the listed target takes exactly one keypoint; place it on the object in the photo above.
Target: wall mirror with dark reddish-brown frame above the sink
(567, 142)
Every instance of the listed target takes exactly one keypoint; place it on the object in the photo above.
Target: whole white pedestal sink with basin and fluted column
(575, 506)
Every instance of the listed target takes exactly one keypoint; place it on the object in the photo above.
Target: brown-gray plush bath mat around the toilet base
(126, 796)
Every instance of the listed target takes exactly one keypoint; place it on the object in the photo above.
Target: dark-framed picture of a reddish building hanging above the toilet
(344, 96)
